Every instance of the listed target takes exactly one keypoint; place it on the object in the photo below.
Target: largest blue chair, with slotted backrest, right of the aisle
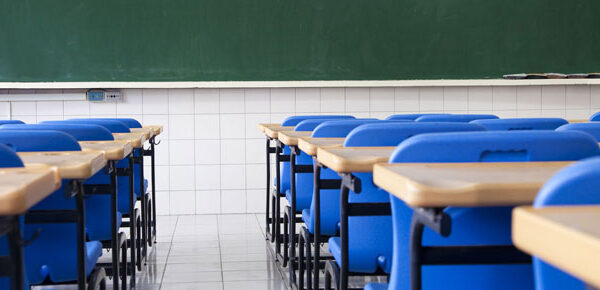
(475, 226)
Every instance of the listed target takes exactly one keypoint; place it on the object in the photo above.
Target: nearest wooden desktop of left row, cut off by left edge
(23, 187)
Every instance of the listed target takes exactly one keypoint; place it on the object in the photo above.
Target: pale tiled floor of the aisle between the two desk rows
(223, 252)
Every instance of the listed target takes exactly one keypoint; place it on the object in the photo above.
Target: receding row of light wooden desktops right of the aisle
(567, 237)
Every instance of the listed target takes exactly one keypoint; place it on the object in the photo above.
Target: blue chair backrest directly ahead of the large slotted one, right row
(391, 134)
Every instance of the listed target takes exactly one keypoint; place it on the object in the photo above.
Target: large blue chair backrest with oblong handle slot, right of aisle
(496, 146)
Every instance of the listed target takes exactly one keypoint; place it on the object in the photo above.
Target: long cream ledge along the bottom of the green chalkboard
(297, 84)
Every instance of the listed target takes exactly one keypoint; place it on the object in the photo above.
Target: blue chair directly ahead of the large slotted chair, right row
(370, 237)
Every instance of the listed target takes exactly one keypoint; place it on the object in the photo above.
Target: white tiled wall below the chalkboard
(211, 156)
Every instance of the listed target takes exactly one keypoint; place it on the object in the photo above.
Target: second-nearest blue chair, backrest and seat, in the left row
(52, 254)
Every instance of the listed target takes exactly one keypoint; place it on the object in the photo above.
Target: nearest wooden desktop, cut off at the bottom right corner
(567, 237)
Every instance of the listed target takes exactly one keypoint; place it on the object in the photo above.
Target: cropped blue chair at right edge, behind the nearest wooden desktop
(576, 184)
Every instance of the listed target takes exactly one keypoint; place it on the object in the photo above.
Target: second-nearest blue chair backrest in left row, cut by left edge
(24, 141)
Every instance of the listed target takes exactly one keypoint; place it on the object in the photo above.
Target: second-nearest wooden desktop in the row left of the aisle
(69, 164)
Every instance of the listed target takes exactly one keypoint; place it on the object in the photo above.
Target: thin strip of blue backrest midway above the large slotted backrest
(521, 124)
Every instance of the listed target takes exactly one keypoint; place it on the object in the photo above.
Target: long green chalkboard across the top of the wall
(248, 40)
